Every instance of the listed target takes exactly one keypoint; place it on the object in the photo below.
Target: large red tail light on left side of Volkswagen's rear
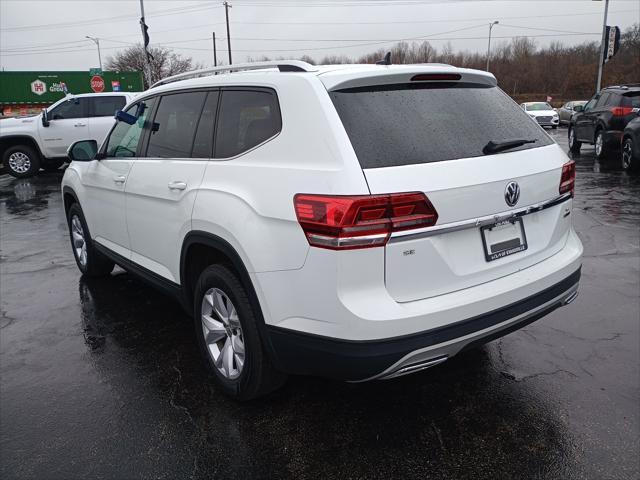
(361, 221)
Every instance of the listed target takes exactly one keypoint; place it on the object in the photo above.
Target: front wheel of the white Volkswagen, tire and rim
(90, 262)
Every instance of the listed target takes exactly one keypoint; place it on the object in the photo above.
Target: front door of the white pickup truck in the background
(68, 123)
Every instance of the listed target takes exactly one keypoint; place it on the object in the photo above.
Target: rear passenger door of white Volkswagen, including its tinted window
(163, 183)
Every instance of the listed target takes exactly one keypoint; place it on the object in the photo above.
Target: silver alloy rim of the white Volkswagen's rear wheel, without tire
(223, 333)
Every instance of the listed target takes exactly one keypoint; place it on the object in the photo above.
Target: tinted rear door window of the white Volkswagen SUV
(174, 125)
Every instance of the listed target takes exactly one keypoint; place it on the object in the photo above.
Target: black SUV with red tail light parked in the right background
(602, 120)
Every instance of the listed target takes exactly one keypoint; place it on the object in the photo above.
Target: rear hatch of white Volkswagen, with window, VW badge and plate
(429, 136)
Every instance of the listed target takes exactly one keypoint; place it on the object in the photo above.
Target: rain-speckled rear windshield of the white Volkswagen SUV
(406, 124)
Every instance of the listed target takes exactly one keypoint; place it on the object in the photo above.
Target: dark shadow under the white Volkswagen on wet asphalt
(464, 414)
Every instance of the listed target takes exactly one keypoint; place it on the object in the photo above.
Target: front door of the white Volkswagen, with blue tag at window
(106, 179)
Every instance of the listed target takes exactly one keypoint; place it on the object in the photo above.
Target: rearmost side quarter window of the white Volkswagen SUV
(247, 118)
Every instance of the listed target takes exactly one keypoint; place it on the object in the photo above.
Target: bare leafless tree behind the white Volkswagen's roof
(163, 64)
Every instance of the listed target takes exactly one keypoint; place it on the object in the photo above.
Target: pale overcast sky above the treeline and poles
(50, 34)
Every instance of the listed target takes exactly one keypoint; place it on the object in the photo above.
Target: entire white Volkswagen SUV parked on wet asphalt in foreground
(357, 222)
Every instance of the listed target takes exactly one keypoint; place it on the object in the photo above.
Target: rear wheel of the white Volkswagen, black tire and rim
(227, 335)
